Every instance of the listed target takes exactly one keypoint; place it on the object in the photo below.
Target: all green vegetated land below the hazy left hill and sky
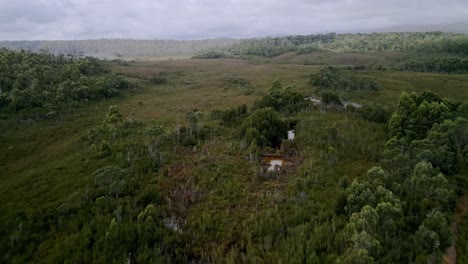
(241, 154)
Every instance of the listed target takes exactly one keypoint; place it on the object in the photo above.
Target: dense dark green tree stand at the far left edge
(45, 84)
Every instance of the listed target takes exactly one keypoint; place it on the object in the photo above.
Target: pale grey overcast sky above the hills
(196, 19)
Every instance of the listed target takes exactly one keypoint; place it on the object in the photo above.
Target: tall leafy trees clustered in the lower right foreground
(401, 212)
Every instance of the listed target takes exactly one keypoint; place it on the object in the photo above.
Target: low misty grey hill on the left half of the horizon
(114, 48)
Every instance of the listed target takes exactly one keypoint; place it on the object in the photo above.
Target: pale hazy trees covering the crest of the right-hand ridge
(422, 42)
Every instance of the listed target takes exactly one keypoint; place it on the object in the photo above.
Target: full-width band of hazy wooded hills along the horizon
(422, 42)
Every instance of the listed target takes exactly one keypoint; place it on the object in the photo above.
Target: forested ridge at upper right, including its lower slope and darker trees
(422, 51)
